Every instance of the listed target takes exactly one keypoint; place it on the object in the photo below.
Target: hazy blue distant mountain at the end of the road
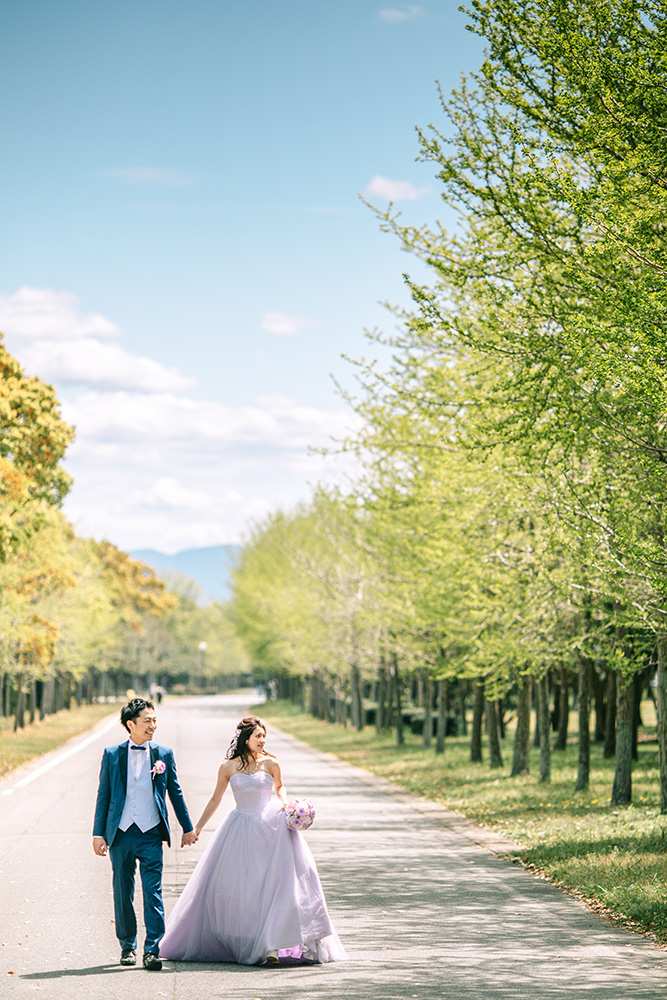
(210, 568)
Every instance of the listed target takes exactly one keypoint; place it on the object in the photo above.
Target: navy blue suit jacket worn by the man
(113, 786)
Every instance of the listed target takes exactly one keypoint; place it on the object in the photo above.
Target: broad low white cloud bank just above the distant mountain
(155, 472)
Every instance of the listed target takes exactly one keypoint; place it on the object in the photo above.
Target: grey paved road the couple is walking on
(424, 906)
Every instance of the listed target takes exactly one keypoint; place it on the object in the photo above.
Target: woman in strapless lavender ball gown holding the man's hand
(255, 895)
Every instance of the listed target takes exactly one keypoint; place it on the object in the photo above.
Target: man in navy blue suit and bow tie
(131, 822)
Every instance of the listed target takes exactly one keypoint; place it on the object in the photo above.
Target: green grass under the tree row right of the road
(614, 858)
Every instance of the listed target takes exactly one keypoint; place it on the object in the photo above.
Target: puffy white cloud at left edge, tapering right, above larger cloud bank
(51, 337)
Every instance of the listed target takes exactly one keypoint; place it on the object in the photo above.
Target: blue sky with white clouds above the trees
(185, 255)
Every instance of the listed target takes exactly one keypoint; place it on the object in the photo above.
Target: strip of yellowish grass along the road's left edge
(40, 737)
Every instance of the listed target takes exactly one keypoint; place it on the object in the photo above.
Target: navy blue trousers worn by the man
(130, 846)
